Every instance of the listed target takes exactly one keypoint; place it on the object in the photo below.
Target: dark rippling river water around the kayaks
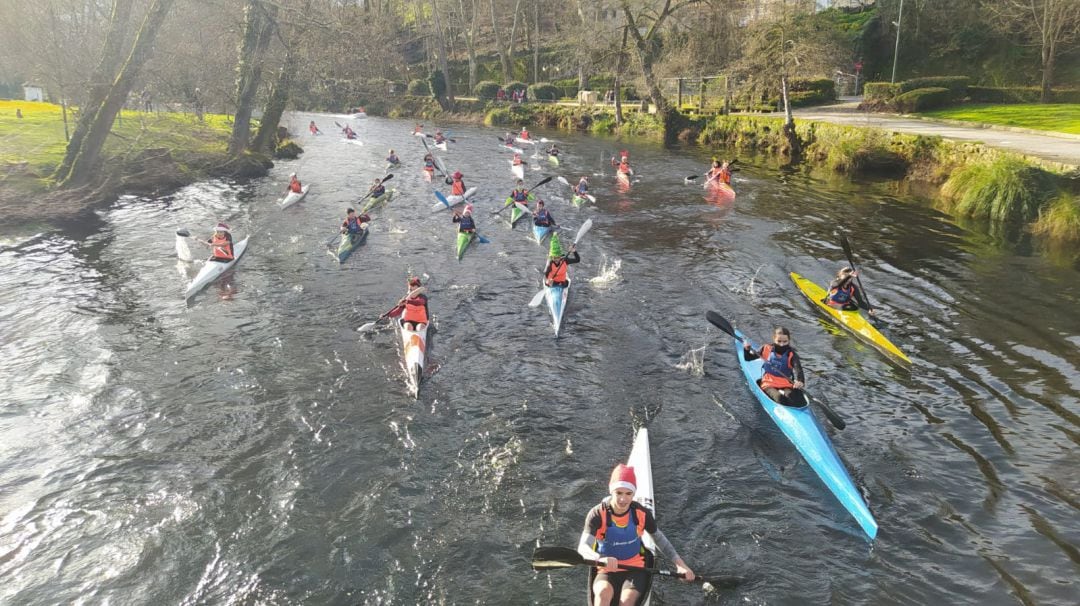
(251, 448)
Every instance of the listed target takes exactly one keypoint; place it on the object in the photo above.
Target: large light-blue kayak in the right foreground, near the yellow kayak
(806, 434)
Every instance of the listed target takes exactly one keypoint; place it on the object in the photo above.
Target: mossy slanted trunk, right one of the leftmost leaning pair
(90, 152)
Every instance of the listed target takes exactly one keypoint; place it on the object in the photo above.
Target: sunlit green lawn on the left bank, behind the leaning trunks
(37, 140)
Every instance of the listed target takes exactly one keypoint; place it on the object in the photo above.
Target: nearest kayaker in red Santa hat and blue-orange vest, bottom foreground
(613, 535)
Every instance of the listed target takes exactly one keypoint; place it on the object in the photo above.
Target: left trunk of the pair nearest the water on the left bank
(259, 26)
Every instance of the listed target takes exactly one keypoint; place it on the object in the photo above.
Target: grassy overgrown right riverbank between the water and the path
(967, 179)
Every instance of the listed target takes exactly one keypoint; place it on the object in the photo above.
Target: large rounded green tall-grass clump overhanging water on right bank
(1007, 190)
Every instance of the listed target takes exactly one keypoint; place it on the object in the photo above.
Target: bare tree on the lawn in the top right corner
(1054, 26)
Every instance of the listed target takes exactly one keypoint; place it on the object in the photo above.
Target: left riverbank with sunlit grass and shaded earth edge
(146, 155)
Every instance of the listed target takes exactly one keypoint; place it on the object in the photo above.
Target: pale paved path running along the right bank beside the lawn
(1055, 150)
